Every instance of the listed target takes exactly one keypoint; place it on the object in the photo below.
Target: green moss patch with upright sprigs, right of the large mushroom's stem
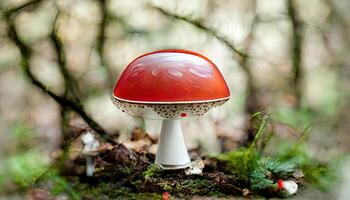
(260, 172)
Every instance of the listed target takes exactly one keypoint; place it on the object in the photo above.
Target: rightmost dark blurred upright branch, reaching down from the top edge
(296, 49)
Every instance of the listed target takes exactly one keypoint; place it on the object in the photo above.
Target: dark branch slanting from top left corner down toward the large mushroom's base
(26, 54)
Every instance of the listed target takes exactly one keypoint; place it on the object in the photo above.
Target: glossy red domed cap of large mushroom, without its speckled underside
(171, 76)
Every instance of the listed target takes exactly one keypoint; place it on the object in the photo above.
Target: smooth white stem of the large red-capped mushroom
(172, 152)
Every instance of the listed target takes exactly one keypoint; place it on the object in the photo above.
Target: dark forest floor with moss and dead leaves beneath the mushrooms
(128, 172)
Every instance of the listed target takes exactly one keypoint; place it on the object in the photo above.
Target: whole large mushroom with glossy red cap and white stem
(170, 85)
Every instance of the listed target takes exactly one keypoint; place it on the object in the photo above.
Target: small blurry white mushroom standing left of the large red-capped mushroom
(89, 151)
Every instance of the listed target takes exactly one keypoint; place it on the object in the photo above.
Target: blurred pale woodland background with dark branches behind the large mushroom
(59, 61)
